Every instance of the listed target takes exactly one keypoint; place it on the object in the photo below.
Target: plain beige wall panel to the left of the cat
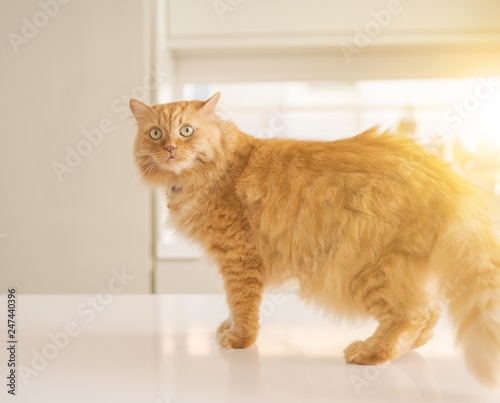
(76, 73)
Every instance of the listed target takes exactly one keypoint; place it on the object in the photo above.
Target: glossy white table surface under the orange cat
(159, 349)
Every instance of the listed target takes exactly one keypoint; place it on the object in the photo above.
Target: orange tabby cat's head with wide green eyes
(175, 138)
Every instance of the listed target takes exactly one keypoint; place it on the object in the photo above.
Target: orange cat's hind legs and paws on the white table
(390, 291)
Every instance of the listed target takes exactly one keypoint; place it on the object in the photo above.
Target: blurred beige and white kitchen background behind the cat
(73, 212)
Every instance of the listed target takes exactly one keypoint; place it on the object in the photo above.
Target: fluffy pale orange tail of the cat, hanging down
(472, 282)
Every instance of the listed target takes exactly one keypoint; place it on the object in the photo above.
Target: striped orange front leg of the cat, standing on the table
(244, 285)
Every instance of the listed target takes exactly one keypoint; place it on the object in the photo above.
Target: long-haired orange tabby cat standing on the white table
(364, 225)
